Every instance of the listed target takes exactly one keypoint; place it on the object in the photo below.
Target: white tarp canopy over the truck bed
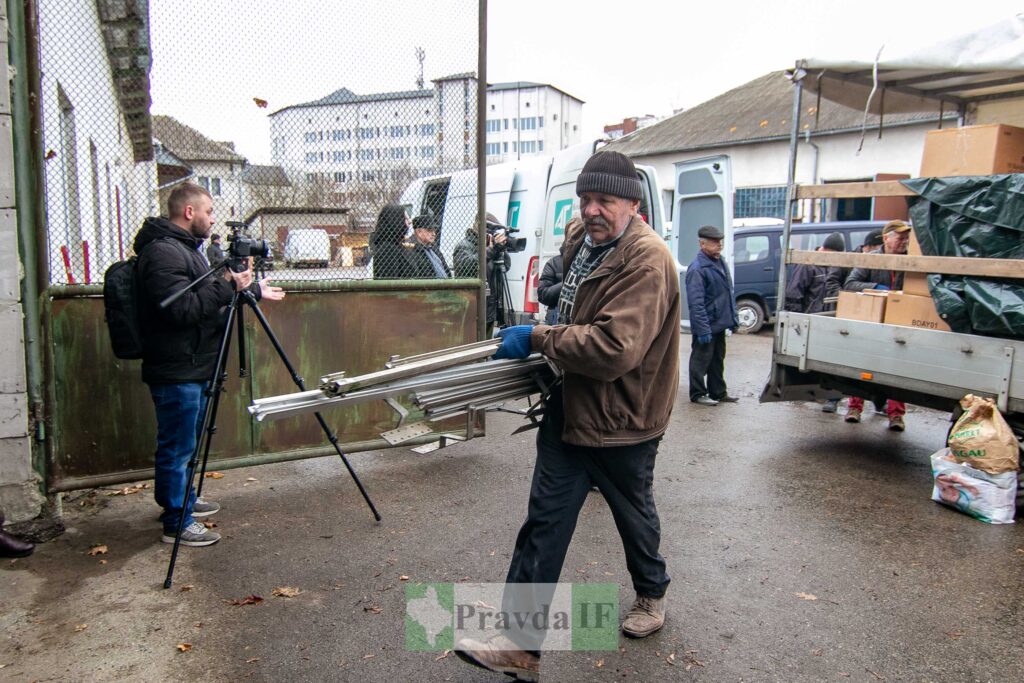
(980, 67)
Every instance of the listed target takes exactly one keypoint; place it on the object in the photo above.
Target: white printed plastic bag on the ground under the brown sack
(991, 498)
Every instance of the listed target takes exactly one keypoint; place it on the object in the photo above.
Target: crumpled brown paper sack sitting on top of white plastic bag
(983, 439)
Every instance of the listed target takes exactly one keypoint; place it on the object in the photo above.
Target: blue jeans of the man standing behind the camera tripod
(180, 422)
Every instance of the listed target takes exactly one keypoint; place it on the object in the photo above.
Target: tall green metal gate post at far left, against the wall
(29, 202)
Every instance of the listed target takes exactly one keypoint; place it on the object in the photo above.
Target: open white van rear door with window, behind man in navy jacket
(704, 197)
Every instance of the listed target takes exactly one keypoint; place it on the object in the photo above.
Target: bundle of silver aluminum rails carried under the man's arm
(459, 386)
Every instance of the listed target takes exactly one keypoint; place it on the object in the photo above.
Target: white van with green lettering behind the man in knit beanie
(535, 196)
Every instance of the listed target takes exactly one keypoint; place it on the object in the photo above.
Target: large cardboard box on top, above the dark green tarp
(973, 151)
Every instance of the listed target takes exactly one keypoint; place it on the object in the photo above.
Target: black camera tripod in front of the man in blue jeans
(236, 314)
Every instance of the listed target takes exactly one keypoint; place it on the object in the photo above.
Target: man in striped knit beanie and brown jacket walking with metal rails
(618, 344)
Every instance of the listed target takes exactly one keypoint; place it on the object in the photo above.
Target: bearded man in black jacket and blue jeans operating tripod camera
(181, 345)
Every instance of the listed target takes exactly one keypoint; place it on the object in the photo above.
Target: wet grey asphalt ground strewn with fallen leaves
(801, 548)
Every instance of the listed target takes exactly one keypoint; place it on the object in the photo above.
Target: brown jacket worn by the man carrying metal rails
(621, 355)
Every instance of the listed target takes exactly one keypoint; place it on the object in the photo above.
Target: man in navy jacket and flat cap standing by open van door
(713, 311)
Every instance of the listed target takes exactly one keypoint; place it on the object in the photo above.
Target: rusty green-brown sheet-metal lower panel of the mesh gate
(102, 428)
